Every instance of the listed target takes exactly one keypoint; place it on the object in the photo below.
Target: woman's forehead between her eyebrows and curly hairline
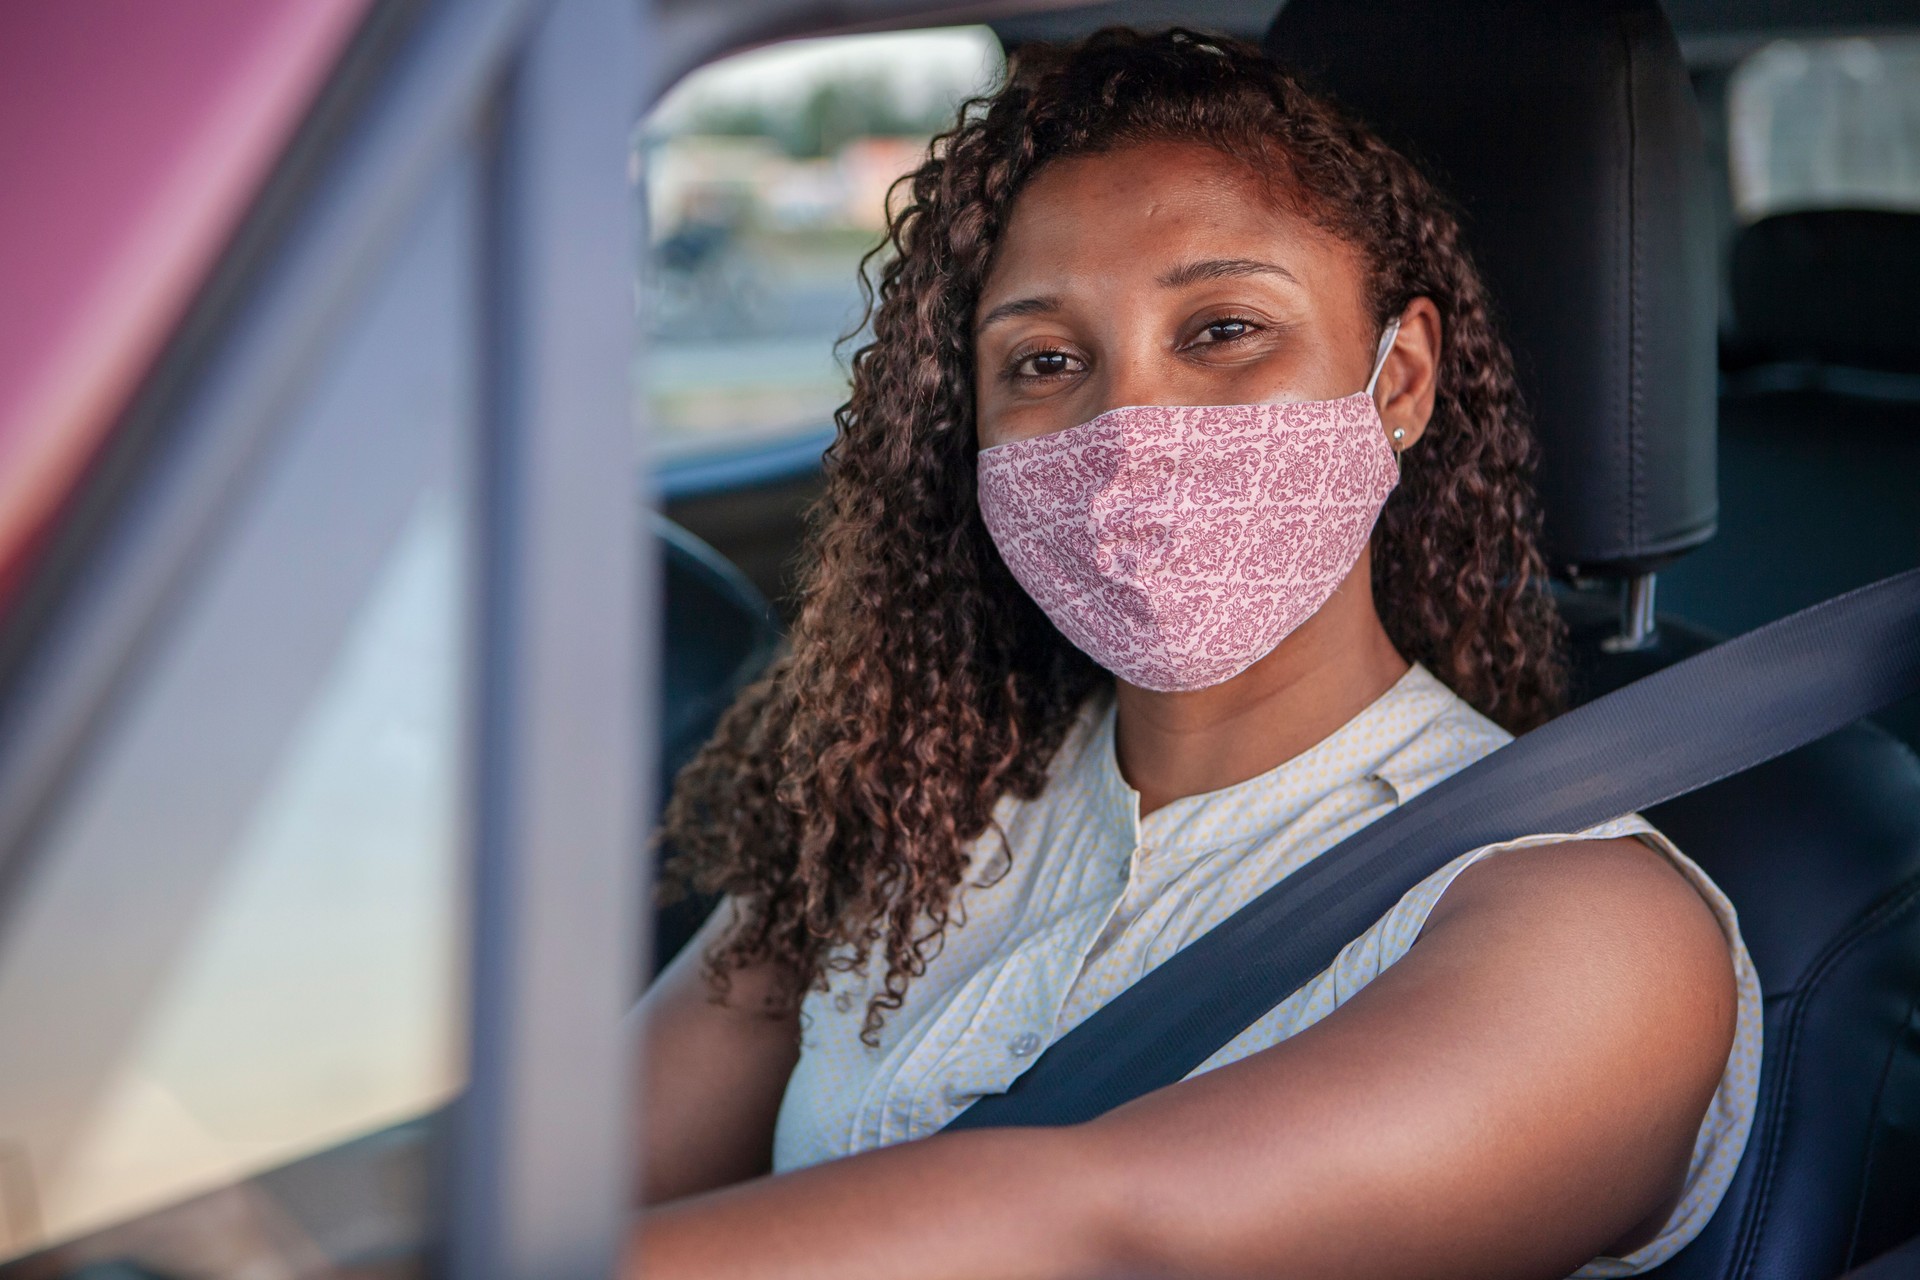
(1141, 208)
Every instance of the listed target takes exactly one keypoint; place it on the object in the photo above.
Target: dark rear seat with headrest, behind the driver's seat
(1819, 423)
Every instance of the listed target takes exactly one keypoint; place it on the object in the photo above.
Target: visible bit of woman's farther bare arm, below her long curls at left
(711, 1076)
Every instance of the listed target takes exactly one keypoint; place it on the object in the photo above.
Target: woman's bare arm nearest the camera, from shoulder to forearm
(1514, 1099)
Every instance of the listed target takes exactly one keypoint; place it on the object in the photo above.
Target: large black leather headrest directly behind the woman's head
(1570, 139)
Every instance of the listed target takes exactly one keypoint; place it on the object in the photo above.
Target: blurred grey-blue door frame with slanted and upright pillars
(564, 667)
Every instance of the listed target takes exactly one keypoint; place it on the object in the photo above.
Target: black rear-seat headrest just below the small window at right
(1833, 287)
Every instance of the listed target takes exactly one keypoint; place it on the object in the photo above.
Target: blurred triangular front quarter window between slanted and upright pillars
(239, 939)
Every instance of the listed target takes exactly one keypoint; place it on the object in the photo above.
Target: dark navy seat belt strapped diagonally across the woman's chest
(1679, 730)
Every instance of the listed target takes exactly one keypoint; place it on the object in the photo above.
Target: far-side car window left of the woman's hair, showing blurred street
(767, 178)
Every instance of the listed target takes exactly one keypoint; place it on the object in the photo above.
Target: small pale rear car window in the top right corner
(1827, 126)
